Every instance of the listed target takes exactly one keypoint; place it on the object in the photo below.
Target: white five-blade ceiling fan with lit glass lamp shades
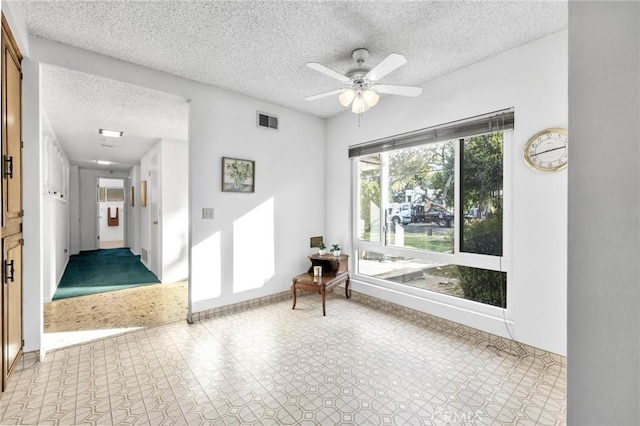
(361, 87)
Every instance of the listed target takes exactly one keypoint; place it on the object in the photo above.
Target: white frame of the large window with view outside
(483, 261)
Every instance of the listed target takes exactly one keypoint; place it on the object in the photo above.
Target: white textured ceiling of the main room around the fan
(260, 48)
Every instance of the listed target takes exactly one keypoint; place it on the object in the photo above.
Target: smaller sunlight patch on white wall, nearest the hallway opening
(206, 270)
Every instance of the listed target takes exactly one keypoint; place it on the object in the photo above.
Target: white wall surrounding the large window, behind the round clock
(536, 236)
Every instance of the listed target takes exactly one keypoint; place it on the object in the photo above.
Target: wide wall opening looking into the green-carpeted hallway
(115, 184)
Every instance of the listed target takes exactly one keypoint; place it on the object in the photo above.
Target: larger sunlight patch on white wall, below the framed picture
(254, 248)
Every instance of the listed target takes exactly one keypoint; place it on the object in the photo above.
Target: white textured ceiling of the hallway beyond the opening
(79, 104)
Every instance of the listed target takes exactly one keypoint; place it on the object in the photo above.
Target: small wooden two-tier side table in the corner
(335, 270)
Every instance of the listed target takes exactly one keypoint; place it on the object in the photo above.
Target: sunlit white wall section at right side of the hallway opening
(174, 184)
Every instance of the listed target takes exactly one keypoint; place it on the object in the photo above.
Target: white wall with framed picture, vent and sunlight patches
(289, 178)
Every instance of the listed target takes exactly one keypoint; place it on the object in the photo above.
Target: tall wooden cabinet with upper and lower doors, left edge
(11, 221)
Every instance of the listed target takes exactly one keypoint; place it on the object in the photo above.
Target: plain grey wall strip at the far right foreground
(603, 374)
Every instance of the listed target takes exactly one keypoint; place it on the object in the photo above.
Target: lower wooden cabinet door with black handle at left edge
(12, 303)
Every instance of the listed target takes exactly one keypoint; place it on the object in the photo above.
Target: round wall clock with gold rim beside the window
(548, 150)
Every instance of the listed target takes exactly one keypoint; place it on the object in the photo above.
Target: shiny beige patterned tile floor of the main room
(274, 365)
